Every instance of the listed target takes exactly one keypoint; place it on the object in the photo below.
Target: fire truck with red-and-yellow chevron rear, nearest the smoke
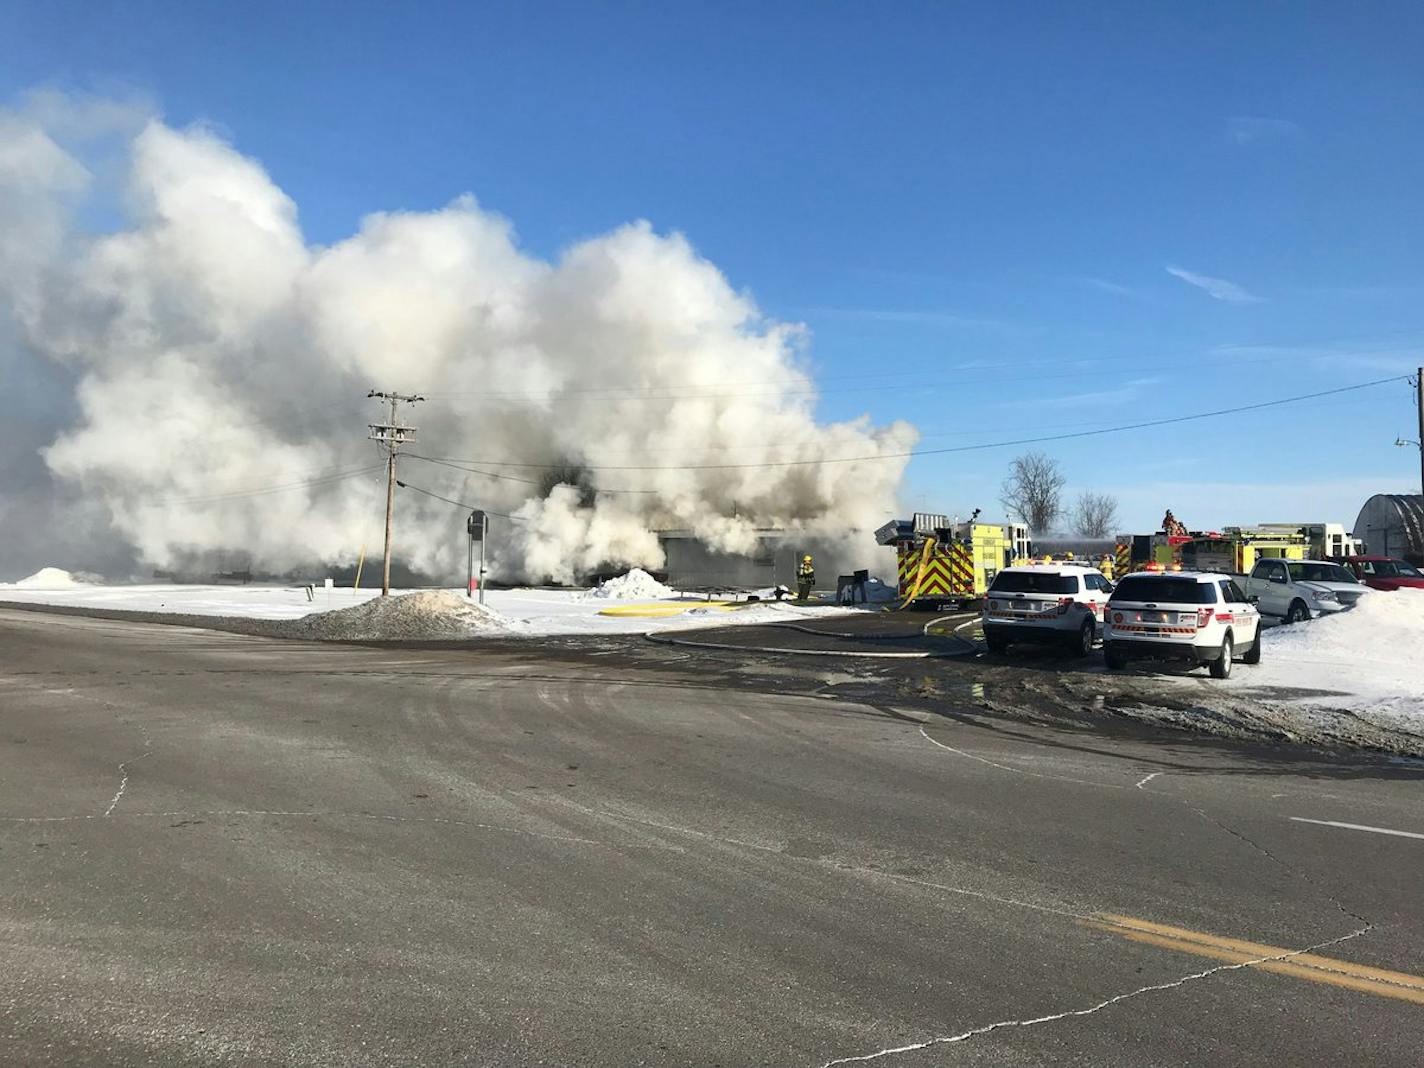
(943, 562)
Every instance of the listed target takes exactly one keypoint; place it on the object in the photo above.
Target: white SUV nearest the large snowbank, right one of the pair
(1187, 616)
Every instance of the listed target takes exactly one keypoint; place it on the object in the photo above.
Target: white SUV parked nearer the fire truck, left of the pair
(1046, 603)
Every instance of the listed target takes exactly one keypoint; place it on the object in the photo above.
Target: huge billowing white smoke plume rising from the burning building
(201, 368)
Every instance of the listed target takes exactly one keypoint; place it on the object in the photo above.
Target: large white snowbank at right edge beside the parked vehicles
(1363, 660)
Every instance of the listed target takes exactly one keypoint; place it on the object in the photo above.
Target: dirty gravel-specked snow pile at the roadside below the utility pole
(432, 616)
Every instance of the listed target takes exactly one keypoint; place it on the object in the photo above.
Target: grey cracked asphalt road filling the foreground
(219, 849)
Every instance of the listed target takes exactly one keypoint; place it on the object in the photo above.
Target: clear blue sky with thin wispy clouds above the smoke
(1059, 219)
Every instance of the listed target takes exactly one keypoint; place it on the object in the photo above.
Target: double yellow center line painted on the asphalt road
(1308, 966)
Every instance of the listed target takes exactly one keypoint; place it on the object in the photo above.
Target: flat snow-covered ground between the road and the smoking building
(523, 612)
